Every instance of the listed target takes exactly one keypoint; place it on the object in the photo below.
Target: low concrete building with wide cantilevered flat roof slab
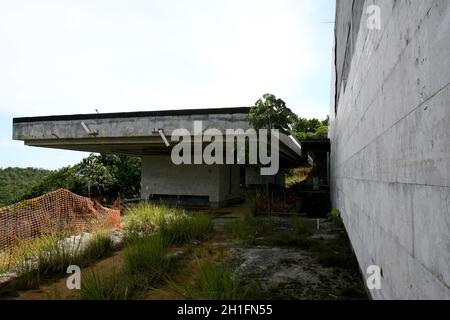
(138, 133)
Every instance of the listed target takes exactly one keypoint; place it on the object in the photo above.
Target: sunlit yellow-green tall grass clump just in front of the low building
(174, 224)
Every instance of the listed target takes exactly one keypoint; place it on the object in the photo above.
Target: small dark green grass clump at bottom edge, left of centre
(106, 285)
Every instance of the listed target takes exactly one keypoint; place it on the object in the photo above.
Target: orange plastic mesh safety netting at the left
(55, 212)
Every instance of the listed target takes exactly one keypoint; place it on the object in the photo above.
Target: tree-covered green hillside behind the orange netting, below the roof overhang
(106, 176)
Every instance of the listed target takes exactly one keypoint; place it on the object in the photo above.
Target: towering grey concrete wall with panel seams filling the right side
(390, 137)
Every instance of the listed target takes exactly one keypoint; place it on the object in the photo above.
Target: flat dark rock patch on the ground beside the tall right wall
(286, 273)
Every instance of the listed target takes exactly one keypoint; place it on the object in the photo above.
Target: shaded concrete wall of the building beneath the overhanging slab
(218, 182)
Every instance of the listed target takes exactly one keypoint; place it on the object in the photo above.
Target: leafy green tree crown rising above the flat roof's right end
(270, 113)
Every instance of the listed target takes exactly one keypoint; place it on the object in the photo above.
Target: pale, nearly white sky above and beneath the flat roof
(66, 57)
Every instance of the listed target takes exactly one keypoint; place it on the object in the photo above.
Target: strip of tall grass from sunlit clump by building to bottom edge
(152, 232)
